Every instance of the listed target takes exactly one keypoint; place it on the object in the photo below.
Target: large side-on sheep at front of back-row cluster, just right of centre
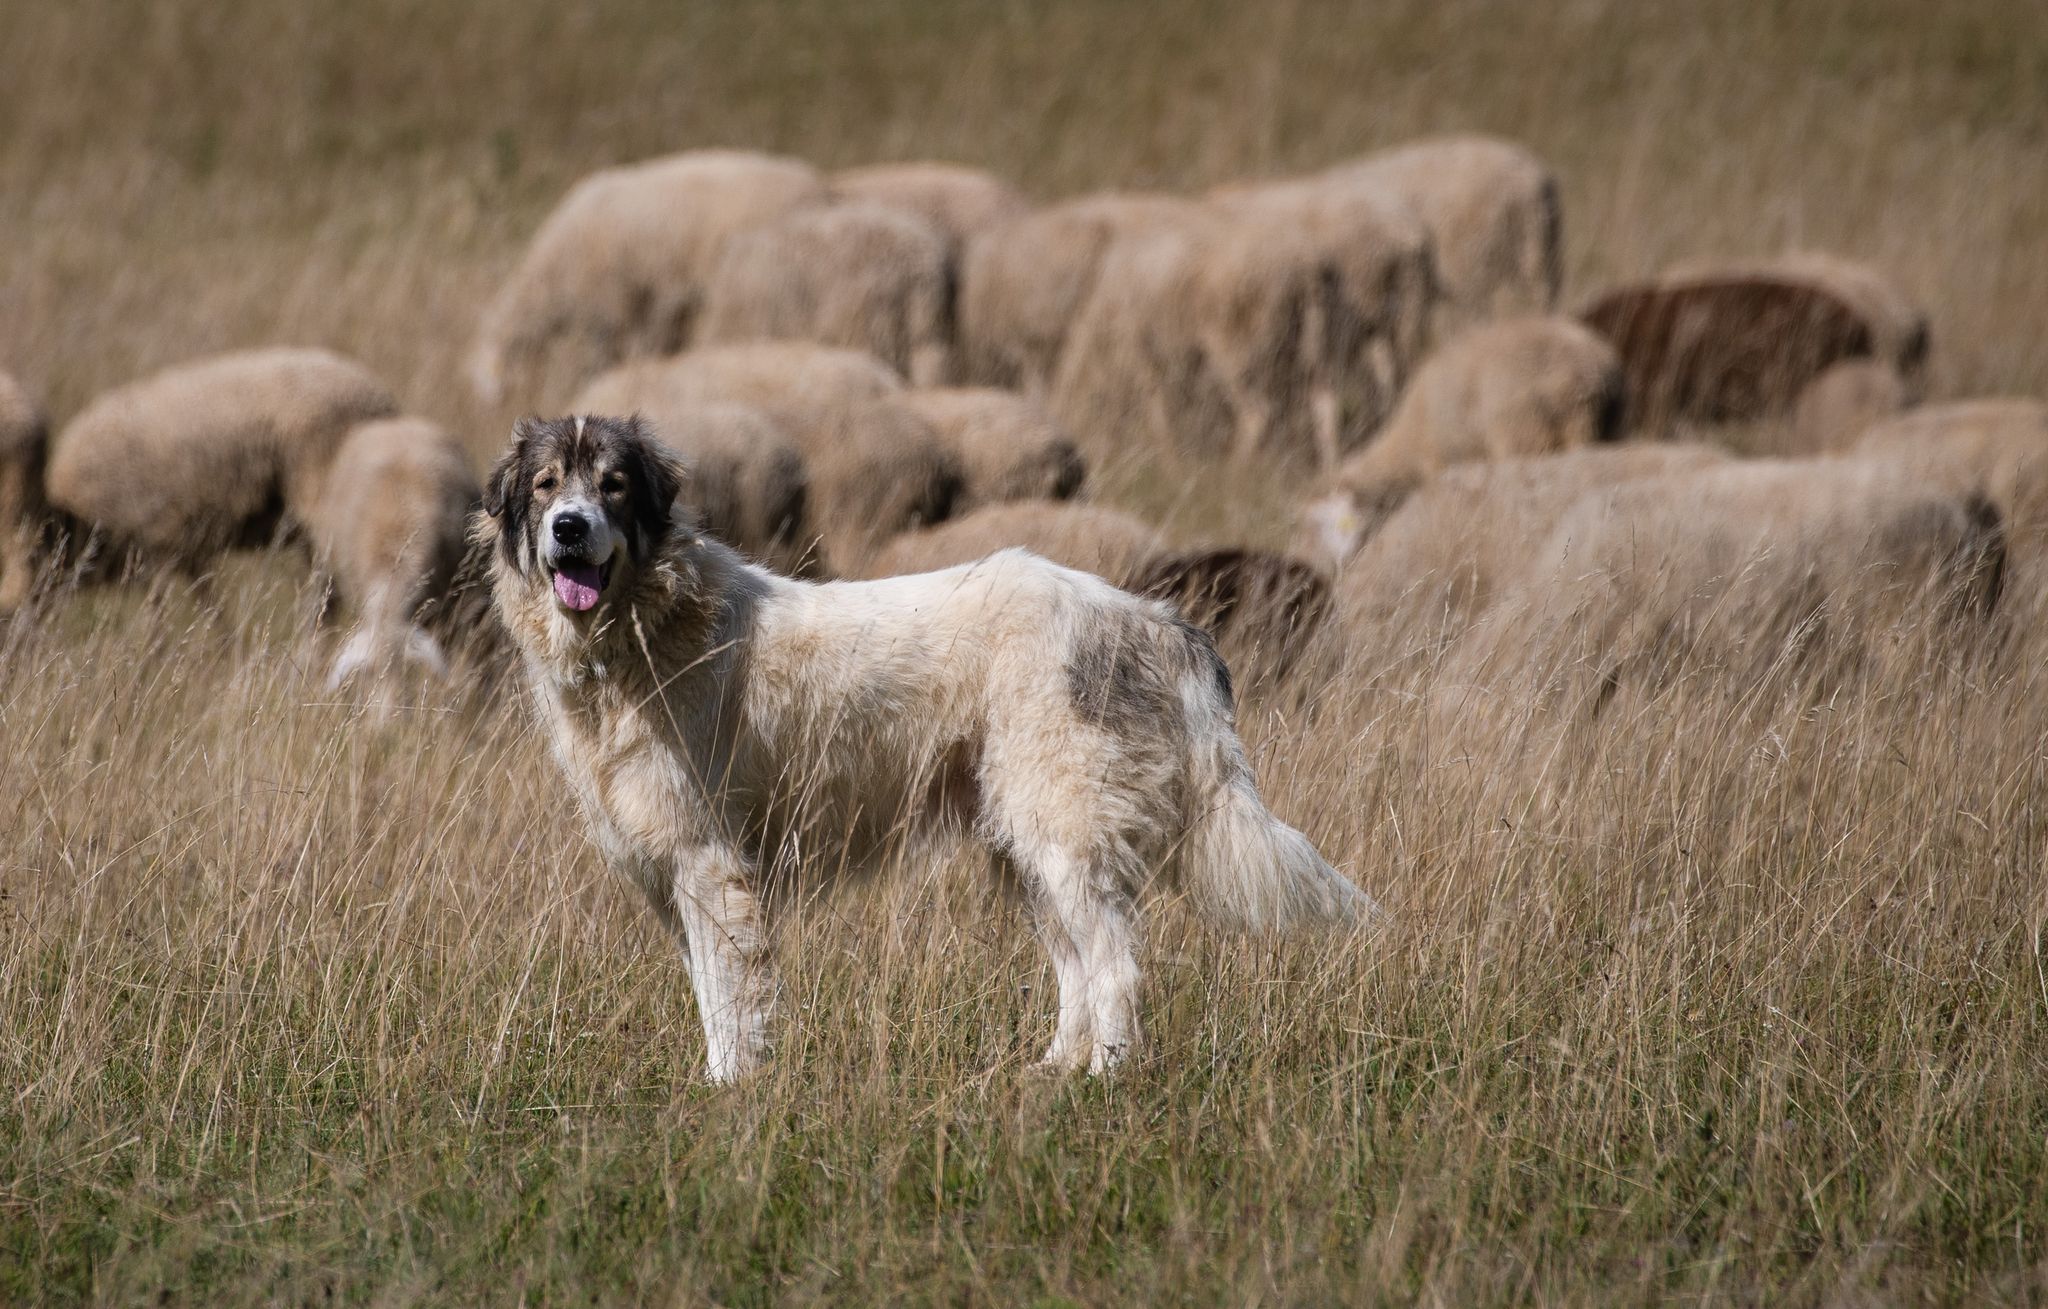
(1209, 339)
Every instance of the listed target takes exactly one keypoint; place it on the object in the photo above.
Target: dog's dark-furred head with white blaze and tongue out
(585, 503)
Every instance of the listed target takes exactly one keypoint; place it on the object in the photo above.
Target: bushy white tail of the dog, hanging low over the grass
(1238, 861)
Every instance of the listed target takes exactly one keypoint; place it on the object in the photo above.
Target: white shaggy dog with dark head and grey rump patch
(732, 734)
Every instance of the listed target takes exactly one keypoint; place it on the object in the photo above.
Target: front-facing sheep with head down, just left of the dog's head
(390, 530)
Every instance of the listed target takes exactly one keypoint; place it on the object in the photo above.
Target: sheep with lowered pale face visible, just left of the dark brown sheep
(1521, 386)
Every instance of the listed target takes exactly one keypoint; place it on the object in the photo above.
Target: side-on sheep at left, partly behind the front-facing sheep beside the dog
(210, 456)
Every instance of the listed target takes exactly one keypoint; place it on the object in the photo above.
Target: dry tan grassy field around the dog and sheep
(1734, 997)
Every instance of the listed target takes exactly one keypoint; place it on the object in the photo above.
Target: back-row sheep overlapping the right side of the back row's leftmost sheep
(855, 276)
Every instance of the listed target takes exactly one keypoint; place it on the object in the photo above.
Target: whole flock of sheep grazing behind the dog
(910, 366)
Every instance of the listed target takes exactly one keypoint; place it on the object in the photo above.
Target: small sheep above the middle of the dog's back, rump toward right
(1009, 446)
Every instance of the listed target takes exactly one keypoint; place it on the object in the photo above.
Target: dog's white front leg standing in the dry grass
(728, 945)
